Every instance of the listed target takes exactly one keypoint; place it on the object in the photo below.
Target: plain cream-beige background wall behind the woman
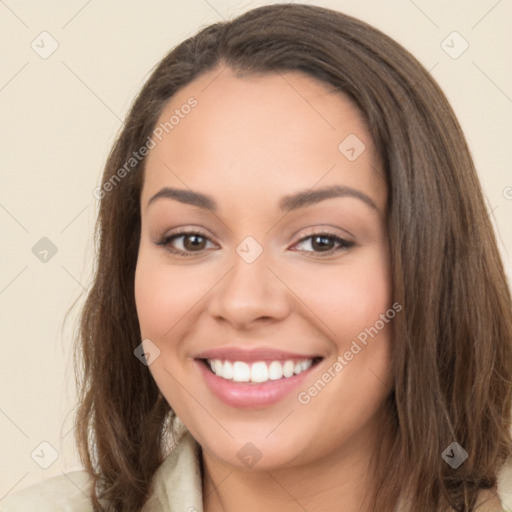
(60, 116)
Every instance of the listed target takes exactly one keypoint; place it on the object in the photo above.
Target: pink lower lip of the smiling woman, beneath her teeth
(244, 394)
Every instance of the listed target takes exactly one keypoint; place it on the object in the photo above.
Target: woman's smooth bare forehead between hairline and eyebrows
(261, 135)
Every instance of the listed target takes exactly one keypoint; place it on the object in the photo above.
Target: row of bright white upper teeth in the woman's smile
(259, 372)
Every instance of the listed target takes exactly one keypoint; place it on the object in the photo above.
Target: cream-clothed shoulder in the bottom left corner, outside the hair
(63, 493)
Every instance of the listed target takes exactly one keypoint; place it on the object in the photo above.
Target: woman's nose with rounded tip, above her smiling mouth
(249, 294)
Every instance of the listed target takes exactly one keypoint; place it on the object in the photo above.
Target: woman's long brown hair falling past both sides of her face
(452, 351)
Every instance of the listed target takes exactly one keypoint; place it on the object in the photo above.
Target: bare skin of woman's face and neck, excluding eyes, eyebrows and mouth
(249, 142)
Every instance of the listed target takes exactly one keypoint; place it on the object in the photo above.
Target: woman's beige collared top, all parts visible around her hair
(177, 488)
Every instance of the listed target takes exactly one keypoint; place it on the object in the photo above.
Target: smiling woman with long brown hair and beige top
(299, 303)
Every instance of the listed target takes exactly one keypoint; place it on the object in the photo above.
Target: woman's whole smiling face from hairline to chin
(282, 284)
